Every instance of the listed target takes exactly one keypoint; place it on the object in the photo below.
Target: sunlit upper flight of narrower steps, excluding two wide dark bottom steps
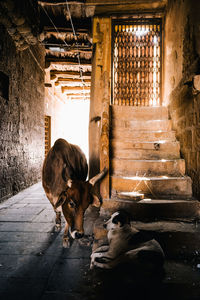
(145, 155)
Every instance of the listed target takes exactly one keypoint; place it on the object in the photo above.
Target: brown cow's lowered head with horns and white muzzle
(75, 200)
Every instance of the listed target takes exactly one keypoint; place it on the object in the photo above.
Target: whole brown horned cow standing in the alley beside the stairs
(63, 178)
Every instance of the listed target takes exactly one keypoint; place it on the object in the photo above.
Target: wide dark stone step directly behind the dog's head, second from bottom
(151, 209)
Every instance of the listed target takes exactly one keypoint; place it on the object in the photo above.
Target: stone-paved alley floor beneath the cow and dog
(33, 264)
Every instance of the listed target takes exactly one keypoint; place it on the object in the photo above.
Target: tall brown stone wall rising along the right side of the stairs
(182, 63)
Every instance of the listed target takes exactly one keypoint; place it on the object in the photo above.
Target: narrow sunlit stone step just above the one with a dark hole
(143, 135)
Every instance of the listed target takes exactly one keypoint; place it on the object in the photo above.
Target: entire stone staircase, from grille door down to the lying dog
(147, 178)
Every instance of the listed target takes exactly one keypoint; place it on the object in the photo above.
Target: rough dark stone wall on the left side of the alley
(21, 116)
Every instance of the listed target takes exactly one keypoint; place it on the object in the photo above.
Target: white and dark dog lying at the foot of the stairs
(126, 244)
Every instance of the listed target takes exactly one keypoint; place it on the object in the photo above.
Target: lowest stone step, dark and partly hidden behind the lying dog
(178, 239)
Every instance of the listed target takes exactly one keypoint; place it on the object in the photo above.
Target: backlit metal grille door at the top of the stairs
(136, 69)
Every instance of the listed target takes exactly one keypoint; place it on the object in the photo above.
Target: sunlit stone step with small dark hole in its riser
(145, 150)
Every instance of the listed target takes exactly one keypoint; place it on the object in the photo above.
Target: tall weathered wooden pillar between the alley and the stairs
(102, 39)
